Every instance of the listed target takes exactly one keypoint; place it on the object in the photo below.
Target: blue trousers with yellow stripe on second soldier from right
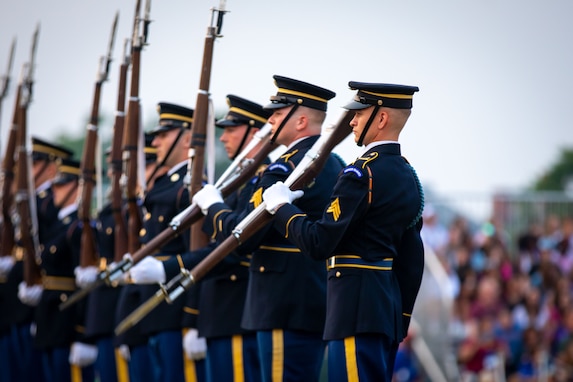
(287, 355)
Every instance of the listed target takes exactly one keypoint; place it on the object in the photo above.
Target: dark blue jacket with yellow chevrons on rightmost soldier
(372, 209)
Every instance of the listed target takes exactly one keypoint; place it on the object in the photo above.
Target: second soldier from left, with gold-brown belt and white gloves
(66, 353)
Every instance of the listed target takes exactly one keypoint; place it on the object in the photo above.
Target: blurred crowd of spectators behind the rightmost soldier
(511, 310)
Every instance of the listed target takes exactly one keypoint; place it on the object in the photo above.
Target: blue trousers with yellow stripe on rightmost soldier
(361, 358)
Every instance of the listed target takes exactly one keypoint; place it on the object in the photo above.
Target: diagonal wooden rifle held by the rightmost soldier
(303, 174)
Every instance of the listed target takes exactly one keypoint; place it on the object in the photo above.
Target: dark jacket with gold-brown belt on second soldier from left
(60, 256)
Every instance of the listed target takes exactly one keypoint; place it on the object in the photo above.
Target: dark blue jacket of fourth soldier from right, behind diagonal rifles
(167, 198)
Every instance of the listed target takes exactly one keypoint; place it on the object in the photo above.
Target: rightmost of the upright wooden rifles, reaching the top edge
(200, 119)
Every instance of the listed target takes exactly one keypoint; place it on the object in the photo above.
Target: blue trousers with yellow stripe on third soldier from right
(231, 359)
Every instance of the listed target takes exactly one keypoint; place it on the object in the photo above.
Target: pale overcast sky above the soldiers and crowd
(493, 112)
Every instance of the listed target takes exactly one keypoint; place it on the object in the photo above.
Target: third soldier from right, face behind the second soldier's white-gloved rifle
(231, 350)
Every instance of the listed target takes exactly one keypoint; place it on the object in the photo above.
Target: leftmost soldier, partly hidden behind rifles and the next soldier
(22, 356)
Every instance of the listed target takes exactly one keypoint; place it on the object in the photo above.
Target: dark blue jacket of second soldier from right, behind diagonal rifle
(286, 289)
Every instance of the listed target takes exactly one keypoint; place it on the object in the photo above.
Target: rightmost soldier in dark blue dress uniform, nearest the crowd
(370, 234)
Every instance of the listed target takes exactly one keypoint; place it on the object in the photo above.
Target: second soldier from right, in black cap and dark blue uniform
(286, 294)
